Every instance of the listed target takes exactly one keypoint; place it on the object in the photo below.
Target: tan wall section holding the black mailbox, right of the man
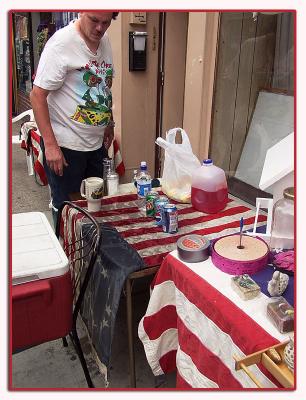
(137, 100)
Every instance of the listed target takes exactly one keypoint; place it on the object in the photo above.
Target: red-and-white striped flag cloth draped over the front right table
(195, 323)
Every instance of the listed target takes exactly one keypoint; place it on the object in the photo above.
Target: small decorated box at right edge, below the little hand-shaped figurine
(281, 314)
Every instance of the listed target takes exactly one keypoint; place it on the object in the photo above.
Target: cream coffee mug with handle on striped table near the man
(92, 190)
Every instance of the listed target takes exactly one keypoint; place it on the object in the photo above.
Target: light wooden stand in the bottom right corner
(280, 371)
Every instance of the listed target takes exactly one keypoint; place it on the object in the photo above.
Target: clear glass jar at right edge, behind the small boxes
(282, 232)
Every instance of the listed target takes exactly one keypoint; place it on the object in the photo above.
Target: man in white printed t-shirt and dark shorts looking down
(72, 103)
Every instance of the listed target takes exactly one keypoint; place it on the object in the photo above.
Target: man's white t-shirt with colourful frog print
(79, 81)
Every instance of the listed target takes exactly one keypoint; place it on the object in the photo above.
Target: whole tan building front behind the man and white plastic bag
(189, 67)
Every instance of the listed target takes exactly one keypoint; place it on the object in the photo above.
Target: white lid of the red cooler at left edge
(36, 251)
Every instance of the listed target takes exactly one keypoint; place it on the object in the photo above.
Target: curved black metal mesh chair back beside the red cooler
(81, 249)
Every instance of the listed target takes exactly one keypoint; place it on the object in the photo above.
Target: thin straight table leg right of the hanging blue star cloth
(130, 332)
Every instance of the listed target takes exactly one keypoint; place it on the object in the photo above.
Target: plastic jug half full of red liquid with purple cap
(209, 188)
